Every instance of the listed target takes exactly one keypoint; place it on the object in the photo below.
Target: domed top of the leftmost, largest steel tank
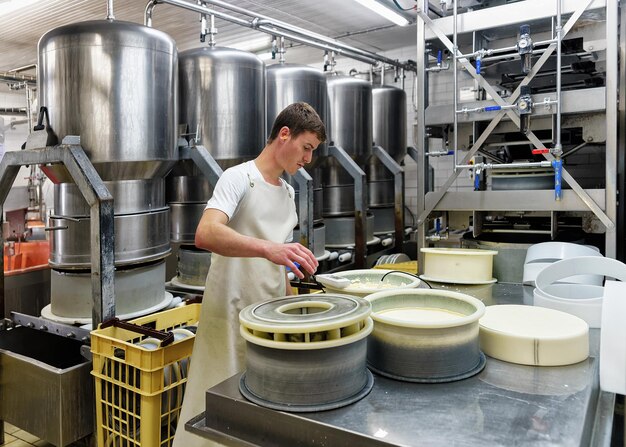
(107, 33)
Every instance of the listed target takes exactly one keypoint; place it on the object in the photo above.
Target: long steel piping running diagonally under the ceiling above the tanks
(275, 27)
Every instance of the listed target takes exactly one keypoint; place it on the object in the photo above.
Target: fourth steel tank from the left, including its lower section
(350, 111)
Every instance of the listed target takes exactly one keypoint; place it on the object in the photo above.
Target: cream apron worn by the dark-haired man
(266, 212)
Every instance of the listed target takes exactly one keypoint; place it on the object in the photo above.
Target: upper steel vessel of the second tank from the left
(222, 93)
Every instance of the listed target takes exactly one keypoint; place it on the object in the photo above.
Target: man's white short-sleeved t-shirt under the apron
(232, 186)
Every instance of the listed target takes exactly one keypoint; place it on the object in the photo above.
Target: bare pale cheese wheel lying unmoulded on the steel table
(531, 335)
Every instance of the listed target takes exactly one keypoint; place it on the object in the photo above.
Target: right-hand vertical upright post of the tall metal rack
(612, 77)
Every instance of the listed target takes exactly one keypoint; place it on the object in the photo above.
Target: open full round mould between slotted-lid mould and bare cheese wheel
(424, 335)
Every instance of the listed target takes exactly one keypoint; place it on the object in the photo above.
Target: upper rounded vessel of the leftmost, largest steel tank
(114, 84)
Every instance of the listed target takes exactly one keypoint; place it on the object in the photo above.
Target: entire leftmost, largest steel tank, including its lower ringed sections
(115, 84)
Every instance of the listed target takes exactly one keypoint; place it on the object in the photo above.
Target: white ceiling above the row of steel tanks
(346, 20)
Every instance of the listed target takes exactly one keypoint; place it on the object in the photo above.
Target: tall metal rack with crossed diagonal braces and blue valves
(505, 113)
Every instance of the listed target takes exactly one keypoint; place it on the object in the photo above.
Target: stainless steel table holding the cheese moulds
(504, 405)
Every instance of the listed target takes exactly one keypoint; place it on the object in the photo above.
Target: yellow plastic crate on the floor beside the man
(139, 390)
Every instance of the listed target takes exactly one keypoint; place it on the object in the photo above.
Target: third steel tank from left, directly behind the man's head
(289, 83)
